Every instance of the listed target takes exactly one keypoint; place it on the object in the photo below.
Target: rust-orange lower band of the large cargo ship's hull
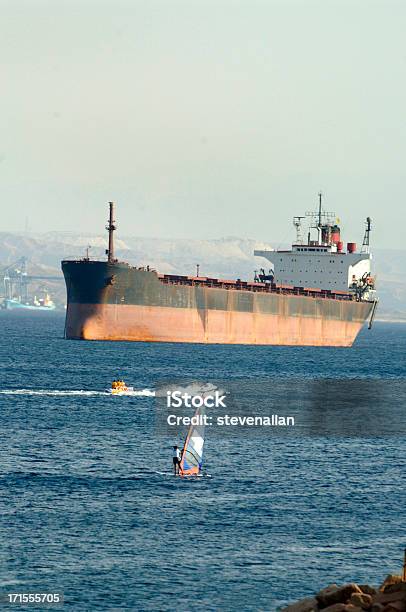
(158, 324)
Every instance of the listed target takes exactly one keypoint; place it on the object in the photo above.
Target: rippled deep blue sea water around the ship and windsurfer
(89, 507)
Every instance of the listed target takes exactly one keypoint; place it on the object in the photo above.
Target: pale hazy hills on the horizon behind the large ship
(227, 258)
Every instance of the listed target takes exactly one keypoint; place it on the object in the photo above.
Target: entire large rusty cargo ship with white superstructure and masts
(315, 294)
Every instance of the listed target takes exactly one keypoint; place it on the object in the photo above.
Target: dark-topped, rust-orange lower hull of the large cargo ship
(115, 301)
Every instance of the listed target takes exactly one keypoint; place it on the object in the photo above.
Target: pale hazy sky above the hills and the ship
(203, 118)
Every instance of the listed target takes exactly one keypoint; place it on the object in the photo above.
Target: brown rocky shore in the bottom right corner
(389, 597)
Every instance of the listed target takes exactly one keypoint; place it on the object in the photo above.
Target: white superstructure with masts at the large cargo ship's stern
(322, 264)
